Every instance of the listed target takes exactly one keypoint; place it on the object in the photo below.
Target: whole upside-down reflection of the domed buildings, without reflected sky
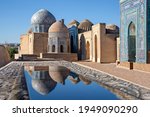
(45, 78)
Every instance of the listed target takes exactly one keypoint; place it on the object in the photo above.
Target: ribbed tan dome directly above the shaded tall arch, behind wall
(85, 25)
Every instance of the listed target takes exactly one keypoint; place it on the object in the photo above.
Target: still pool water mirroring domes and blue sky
(48, 80)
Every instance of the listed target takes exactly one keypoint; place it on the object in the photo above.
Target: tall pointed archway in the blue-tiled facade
(132, 42)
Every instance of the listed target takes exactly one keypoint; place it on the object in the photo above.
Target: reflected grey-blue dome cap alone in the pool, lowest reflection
(43, 86)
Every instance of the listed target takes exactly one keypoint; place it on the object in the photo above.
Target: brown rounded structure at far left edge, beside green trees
(4, 56)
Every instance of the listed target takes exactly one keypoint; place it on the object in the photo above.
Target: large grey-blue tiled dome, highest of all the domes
(43, 16)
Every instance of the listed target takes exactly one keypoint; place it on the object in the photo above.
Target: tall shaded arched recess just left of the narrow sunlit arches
(82, 48)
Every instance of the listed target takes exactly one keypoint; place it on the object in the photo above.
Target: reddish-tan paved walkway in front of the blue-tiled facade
(137, 77)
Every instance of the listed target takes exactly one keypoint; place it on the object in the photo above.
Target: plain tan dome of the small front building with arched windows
(58, 26)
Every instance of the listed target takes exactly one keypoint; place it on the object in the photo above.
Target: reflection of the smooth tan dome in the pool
(58, 73)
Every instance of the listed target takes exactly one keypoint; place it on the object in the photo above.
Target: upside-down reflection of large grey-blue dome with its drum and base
(41, 81)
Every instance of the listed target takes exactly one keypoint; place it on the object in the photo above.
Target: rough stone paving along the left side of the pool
(12, 82)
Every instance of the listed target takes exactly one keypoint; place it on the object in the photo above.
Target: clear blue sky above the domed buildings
(15, 15)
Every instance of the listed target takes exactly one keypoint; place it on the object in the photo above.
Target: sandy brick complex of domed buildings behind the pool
(49, 38)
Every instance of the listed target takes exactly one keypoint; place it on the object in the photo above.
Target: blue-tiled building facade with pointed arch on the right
(135, 36)
